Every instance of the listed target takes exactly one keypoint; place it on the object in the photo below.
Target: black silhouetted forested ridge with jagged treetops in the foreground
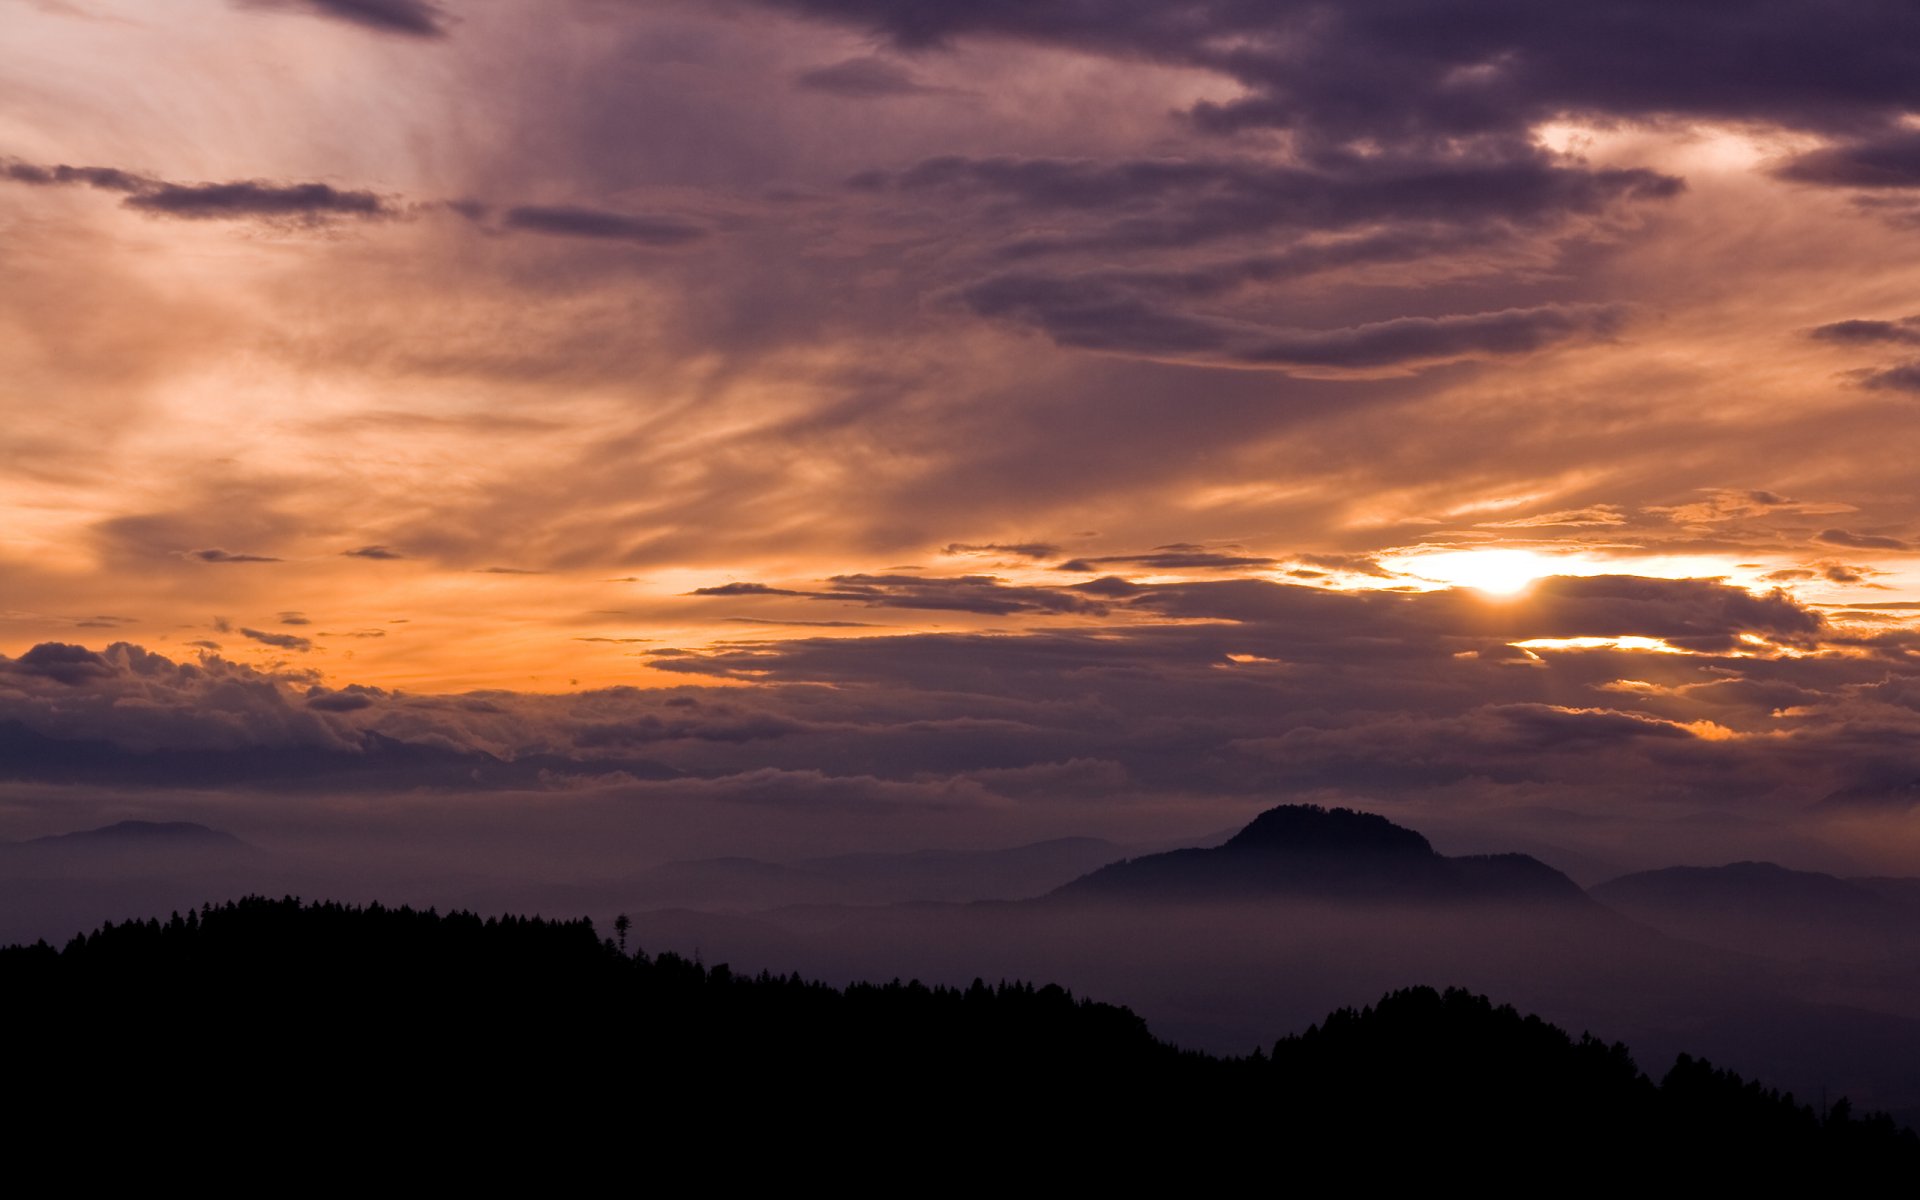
(439, 1020)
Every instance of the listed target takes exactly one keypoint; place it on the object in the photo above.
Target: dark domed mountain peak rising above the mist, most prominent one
(1328, 853)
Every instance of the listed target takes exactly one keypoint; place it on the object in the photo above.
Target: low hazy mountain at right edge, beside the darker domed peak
(1765, 909)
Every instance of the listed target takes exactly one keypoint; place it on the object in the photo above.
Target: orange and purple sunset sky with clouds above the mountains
(840, 423)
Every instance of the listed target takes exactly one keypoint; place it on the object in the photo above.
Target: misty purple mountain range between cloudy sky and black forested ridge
(1800, 978)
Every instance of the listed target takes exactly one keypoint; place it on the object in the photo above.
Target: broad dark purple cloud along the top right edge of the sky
(1470, 70)
